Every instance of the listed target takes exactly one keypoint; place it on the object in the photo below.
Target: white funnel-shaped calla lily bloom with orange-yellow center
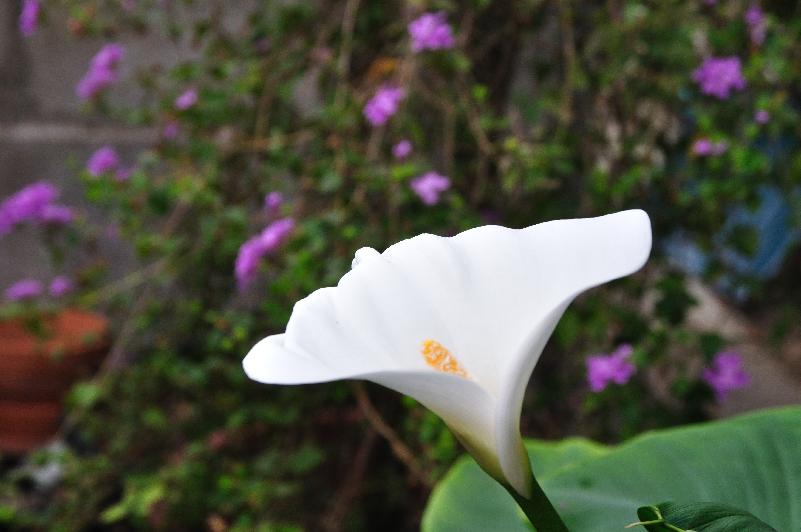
(457, 323)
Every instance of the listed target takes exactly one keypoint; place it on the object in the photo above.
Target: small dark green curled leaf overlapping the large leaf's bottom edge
(701, 516)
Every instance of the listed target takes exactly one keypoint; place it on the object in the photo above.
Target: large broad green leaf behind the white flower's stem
(752, 462)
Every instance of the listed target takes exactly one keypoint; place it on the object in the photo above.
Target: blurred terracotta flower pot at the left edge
(36, 373)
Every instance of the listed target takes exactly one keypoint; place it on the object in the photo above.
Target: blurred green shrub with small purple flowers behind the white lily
(315, 128)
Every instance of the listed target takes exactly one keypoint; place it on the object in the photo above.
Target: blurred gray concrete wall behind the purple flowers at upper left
(43, 125)
